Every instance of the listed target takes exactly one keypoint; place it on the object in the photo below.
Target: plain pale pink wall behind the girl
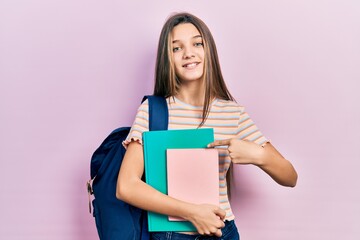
(71, 71)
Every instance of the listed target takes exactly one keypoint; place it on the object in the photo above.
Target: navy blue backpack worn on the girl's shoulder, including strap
(114, 218)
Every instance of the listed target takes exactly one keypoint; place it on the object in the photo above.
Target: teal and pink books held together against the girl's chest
(177, 163)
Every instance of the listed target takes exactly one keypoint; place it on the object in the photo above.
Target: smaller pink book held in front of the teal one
(193, 176)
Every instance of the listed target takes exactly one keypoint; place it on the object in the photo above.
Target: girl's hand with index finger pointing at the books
(241, 151)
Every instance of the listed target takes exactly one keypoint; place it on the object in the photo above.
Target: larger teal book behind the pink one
(155, 145)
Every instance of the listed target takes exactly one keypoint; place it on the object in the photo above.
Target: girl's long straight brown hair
(166, 82)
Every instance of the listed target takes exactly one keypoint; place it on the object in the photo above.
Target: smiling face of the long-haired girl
(188, 52)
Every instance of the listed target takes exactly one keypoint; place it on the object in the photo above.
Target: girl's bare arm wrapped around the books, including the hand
(131, 189)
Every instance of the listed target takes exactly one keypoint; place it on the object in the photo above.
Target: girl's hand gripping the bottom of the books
(208, 219)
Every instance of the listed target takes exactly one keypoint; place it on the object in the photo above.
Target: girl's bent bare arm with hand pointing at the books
(266, 157)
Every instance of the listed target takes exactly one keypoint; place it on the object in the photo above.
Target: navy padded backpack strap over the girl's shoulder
(158, 112)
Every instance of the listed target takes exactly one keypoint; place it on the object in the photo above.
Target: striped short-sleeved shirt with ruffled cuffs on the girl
(227, 118)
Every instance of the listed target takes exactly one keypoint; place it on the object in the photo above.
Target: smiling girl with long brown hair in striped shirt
(188, 75)
